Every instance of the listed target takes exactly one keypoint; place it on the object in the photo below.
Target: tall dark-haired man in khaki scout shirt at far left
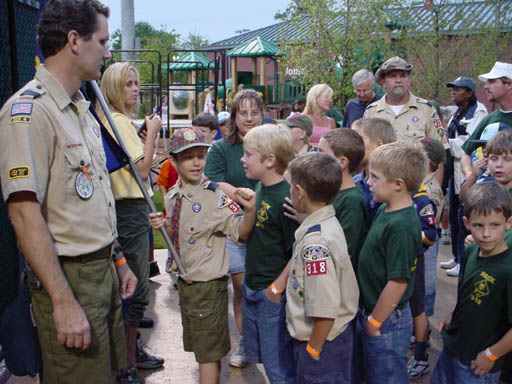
(57, 188)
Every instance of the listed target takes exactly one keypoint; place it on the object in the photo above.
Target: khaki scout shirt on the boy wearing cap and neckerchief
(207, 217)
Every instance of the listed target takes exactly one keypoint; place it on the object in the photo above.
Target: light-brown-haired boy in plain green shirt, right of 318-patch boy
(386, 265)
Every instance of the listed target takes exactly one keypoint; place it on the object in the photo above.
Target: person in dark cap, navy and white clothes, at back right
(465, 120)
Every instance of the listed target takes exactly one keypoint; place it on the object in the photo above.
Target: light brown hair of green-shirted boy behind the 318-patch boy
(401, 160)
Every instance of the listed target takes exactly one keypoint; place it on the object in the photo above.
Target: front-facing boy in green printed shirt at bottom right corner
(478, 334)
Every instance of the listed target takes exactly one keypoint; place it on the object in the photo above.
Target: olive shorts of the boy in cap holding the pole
(204, 316)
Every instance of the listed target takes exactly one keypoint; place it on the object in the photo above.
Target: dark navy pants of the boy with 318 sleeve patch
(335, 364)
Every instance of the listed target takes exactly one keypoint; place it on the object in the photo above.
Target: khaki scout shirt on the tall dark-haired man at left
(46, 140)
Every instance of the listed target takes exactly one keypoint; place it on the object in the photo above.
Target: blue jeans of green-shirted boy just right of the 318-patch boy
(383, 359)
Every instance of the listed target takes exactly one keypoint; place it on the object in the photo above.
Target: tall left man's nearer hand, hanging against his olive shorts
(73, 329)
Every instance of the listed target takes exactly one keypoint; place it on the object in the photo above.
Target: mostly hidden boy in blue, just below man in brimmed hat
(374, 132)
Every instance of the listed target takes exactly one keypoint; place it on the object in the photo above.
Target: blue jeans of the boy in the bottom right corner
(450, 370)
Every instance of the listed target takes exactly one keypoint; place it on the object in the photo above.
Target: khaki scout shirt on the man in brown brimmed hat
(417, 119)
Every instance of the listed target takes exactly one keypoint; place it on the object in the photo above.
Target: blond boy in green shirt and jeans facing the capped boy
(267, 151)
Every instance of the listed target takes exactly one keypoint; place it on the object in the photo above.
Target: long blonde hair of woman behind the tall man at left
(112, 86)
